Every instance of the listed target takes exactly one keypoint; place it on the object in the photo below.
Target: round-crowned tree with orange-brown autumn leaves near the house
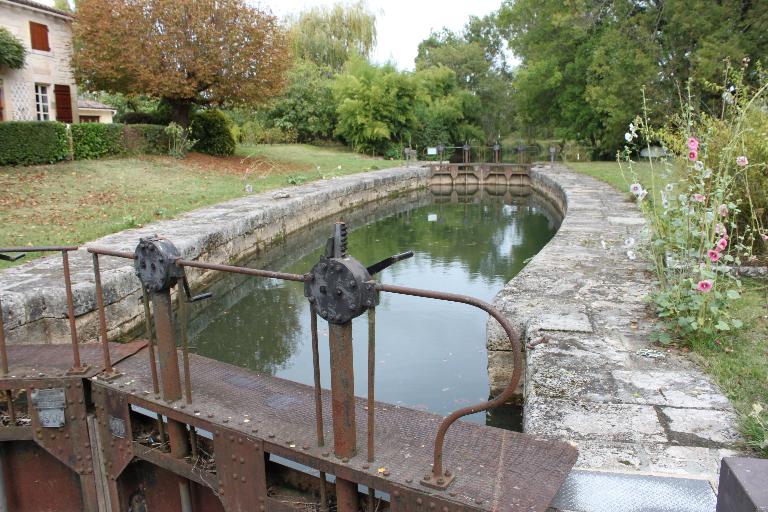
(207, 52)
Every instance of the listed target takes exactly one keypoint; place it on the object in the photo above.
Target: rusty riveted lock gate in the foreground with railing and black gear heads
(147, 426)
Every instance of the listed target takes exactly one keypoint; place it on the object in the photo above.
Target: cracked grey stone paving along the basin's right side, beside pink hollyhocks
(592, 375)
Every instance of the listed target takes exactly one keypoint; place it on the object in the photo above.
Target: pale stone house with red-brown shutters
(45, 88)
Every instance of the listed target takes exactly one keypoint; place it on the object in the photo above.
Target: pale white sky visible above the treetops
(401, 24)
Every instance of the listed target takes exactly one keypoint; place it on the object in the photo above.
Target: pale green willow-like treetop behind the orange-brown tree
(329, 37)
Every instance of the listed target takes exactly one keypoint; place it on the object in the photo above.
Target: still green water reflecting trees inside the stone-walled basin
(430, 354)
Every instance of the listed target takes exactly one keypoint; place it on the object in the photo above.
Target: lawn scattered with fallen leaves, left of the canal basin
(75, 202)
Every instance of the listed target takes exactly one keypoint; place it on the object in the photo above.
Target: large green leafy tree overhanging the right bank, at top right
(585, 62)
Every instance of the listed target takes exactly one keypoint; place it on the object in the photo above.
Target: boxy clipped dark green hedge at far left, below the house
(32, 142)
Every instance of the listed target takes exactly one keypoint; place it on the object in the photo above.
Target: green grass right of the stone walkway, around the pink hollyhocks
(739, 364)
